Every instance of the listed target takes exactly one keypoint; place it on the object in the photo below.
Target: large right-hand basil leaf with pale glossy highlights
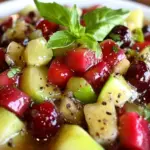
(102, 20)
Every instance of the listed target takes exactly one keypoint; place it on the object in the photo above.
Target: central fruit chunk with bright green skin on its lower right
(81, 89)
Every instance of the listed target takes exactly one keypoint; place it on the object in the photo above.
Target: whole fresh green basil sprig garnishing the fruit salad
(98, 24)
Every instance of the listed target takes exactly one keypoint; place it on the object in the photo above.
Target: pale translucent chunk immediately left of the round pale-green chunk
(14, 54)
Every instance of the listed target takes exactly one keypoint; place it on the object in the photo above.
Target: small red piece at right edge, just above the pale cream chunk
(139, 46)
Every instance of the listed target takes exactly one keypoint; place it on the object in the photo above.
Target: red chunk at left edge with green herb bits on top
(5, 79)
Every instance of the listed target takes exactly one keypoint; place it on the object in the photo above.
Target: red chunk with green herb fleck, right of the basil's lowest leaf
(112, 54)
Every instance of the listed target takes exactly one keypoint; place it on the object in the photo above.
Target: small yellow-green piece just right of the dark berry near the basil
(138, 35)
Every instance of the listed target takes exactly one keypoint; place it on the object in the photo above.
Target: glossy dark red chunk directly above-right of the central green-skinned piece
(97, 75)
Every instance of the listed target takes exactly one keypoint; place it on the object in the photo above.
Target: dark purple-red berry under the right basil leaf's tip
(121, 34)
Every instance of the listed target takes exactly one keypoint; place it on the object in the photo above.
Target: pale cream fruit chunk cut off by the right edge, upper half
(144, 55)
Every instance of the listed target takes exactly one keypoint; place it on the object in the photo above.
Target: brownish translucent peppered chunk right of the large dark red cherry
(71, 109)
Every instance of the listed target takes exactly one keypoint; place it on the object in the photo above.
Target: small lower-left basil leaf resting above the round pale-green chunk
(60, 39)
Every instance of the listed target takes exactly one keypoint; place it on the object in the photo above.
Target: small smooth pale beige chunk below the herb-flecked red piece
(122, 67)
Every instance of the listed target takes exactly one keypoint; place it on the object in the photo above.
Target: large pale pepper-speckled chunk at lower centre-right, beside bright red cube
(102, 121)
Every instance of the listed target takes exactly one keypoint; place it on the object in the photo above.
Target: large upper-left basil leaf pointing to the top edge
(54, 12)
